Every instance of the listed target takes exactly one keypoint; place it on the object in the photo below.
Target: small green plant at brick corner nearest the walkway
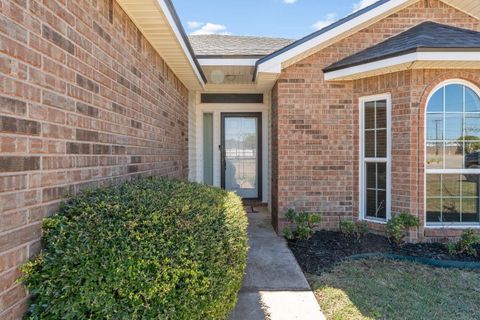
(303, 222)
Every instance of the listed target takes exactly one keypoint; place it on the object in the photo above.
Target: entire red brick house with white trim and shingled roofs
(376, 114)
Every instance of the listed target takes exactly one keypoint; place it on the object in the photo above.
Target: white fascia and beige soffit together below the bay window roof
(416, 60)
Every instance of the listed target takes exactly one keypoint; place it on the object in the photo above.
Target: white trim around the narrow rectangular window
(388, 160)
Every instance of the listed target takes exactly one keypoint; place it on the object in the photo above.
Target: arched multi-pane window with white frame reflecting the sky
(453, 154)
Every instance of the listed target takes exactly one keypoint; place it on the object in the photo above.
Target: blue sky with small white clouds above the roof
(273, 18)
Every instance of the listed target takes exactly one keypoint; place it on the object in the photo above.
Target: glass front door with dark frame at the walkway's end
(242, 154)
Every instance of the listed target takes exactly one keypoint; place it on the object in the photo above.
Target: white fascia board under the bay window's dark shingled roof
(407, 58)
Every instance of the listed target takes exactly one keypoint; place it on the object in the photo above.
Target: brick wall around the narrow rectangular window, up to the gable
(315, 125)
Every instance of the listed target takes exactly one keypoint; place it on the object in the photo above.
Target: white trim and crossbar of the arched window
(444, 225)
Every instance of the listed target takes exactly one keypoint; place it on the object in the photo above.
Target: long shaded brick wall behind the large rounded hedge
(84, 101)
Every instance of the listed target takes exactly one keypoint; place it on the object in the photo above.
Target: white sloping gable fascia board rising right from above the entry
(275, 64)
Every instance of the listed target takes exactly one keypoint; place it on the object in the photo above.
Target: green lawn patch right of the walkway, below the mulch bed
(383, 289)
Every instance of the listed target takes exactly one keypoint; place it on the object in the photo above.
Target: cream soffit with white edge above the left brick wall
(159, 26)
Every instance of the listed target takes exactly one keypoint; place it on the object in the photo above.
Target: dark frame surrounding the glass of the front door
(258, 116)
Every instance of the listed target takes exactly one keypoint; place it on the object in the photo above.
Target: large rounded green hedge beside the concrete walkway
(152, 249)
